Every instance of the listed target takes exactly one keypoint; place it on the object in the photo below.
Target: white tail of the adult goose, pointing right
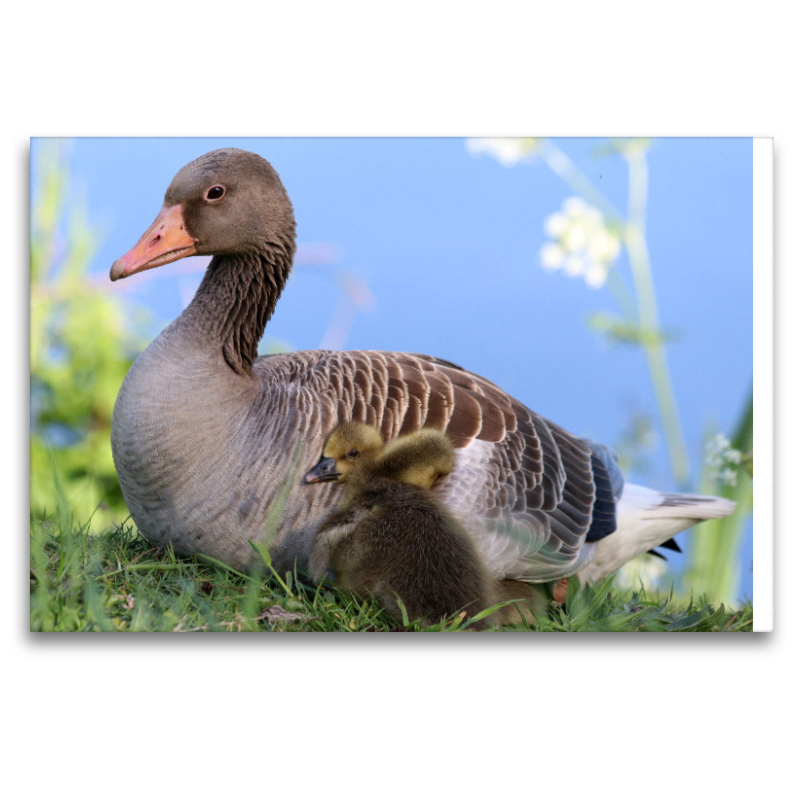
(646, 519)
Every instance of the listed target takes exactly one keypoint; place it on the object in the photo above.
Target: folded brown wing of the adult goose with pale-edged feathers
(530, 492)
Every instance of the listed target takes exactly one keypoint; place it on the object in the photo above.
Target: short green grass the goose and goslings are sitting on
(117, 581)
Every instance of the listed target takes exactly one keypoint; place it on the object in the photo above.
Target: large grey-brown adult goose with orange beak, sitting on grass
(211, 443)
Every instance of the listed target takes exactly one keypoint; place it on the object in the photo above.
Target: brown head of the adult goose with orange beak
(227, 202)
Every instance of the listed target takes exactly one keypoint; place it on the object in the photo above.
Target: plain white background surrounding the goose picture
(387, 716)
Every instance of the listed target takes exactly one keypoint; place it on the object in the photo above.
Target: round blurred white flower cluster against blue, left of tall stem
(581, 242)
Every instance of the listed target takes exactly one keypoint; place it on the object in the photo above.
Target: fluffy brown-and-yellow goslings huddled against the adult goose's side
(388, 535)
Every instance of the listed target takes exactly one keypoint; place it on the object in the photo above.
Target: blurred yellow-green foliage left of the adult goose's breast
(81, 349)
